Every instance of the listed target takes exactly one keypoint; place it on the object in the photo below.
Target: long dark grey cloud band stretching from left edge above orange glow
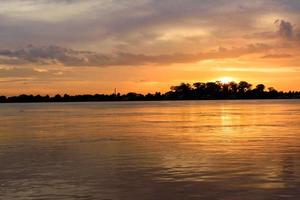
(54, 55)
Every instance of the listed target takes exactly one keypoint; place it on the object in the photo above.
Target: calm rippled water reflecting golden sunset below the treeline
(231, 150)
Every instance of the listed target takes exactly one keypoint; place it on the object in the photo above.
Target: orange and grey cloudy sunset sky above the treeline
(95, 46)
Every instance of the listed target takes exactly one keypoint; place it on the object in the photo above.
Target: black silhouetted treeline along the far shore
(185, 91)
